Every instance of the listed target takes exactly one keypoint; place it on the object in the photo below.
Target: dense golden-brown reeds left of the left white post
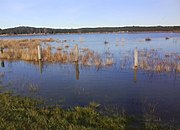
(21, 49)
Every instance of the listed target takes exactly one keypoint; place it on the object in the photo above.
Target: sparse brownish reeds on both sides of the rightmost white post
(153, 60)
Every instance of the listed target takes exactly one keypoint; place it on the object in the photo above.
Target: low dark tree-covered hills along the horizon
(33, 30)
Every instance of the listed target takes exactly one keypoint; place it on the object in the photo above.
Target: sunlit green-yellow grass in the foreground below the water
(20, 113)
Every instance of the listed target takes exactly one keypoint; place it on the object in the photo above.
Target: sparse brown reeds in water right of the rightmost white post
(152, 60)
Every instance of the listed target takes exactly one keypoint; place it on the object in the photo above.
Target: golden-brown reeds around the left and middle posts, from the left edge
(26, 49)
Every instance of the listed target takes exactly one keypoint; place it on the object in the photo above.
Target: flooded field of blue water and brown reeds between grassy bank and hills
(104, 74)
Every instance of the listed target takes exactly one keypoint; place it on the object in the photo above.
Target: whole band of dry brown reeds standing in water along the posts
(26, 49)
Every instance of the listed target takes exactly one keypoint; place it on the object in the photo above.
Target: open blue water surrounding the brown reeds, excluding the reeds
(120, 88)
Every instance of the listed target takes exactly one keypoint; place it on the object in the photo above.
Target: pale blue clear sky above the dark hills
(89, 13)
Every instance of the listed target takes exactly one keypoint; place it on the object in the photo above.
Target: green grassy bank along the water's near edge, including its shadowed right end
(19, 111)
